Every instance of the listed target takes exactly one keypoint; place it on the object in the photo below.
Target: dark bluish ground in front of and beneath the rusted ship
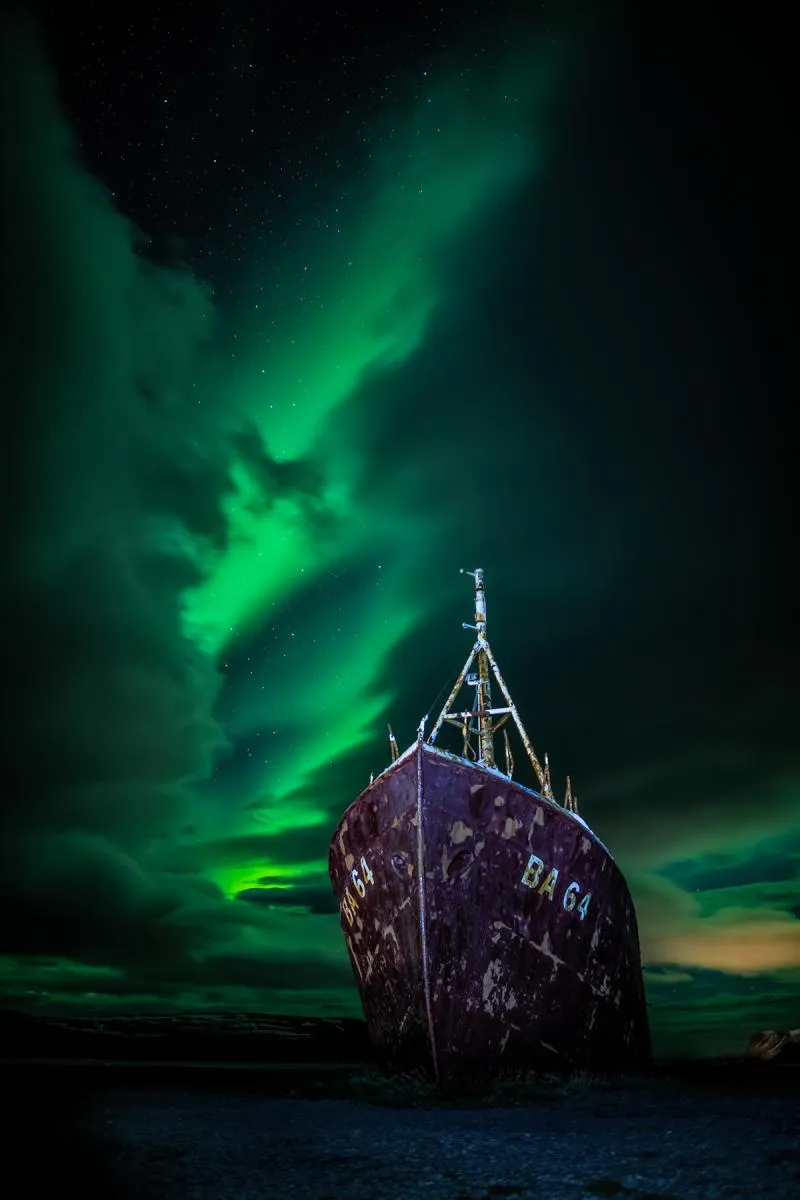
(351, 1136)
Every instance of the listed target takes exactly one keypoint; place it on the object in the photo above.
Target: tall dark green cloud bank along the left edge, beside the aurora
(119, 460)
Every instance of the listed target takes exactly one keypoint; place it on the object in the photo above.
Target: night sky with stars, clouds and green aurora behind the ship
(304, 314)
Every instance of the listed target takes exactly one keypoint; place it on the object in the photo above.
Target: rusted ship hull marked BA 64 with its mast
(489, 927)
